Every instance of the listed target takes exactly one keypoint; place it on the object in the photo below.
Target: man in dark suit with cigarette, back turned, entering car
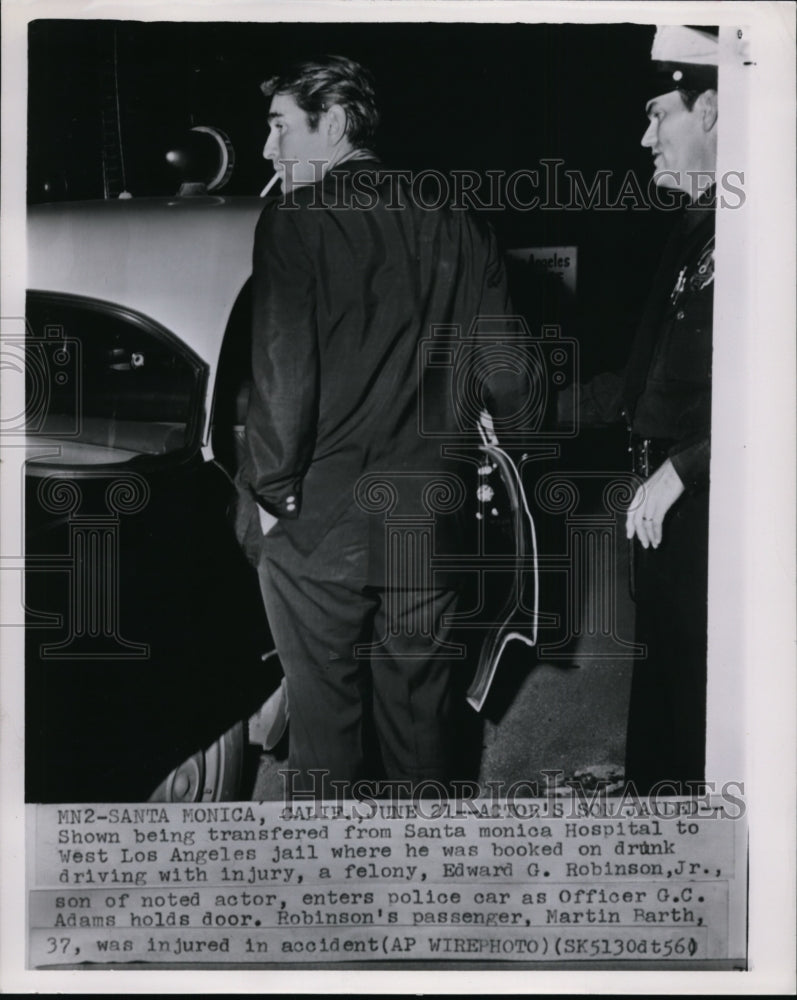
(350, 275)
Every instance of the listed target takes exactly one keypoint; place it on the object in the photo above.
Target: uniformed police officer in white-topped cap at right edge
(664, 394)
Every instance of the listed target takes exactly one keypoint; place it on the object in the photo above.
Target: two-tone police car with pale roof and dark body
(145, 633)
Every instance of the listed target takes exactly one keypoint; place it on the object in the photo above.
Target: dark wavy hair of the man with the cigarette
(315, 84)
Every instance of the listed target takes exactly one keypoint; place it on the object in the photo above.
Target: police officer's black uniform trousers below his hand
(667, 713)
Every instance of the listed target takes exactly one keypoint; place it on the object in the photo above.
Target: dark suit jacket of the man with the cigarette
(349, 277)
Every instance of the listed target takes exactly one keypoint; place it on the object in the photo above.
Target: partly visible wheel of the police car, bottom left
(212, 775)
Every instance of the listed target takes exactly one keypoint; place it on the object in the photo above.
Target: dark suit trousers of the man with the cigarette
(368, 669)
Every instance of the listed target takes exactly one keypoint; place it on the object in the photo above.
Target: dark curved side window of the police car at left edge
(105, 385)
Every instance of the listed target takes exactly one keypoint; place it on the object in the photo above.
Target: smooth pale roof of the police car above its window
(180, 261)
